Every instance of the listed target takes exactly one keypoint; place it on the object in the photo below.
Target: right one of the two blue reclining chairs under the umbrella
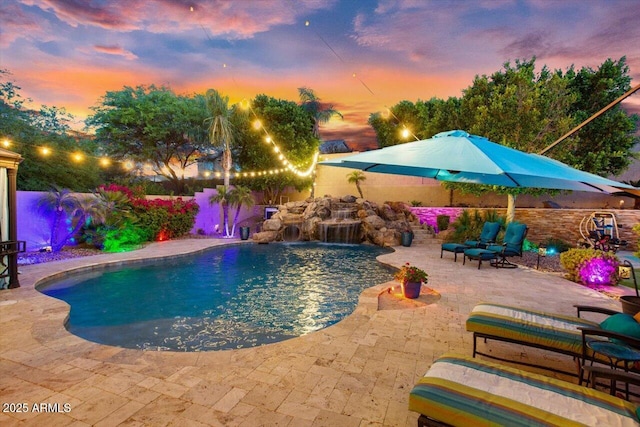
(497, 254)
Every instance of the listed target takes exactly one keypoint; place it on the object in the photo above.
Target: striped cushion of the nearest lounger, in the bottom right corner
(462, 391)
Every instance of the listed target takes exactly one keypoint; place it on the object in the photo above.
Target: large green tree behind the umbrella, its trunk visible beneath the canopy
(519, 108)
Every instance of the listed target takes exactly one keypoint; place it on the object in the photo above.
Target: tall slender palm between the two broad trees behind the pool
(221, 132)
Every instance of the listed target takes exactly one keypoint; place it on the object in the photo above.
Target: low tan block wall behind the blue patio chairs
(550, 223)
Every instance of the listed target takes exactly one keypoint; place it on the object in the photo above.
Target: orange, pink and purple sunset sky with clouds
(68, 53)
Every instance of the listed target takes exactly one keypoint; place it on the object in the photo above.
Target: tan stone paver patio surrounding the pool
(356, 373)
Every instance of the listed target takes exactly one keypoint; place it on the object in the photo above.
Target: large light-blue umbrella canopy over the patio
(457, 156)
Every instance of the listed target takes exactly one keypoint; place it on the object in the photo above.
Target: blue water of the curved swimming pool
(225, 298)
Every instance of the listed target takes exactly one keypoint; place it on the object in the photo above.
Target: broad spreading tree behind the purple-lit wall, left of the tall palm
(152, 125)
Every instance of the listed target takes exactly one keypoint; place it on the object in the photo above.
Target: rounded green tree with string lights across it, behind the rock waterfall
(291, 129)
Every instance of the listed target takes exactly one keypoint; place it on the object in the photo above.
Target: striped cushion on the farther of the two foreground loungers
(529, 326)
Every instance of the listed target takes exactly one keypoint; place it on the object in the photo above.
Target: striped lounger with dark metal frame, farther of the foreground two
(547, 331)
